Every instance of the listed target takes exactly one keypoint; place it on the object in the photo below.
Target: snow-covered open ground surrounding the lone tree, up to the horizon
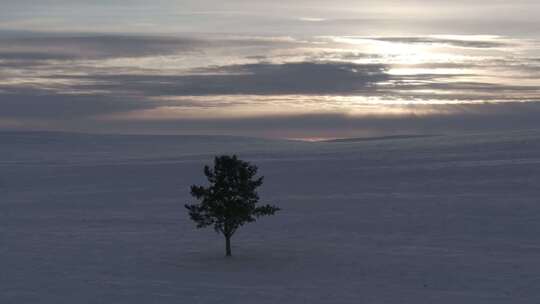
(443, 219)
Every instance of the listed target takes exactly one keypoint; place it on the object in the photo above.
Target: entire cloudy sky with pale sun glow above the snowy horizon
(308, 70)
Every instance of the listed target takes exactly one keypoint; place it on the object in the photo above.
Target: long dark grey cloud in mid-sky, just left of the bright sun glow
(259, 79)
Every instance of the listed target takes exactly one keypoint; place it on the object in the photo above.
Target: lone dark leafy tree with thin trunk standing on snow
(230, 200)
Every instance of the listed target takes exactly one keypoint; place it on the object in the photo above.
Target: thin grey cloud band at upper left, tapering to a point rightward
(32, 46)
